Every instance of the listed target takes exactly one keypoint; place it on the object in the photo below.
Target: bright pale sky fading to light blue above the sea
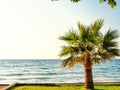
(29, 29)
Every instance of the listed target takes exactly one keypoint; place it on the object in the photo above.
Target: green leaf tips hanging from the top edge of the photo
(112, 3)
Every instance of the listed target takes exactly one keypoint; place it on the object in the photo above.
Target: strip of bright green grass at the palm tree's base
(36, 87)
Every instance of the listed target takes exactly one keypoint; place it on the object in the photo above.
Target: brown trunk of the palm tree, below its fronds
(88, 73)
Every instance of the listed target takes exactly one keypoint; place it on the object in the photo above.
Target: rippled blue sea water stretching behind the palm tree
(49, 71)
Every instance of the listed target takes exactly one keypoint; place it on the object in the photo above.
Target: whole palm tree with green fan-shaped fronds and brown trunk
(88, 46)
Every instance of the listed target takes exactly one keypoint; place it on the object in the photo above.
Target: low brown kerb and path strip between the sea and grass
(8, 86)
